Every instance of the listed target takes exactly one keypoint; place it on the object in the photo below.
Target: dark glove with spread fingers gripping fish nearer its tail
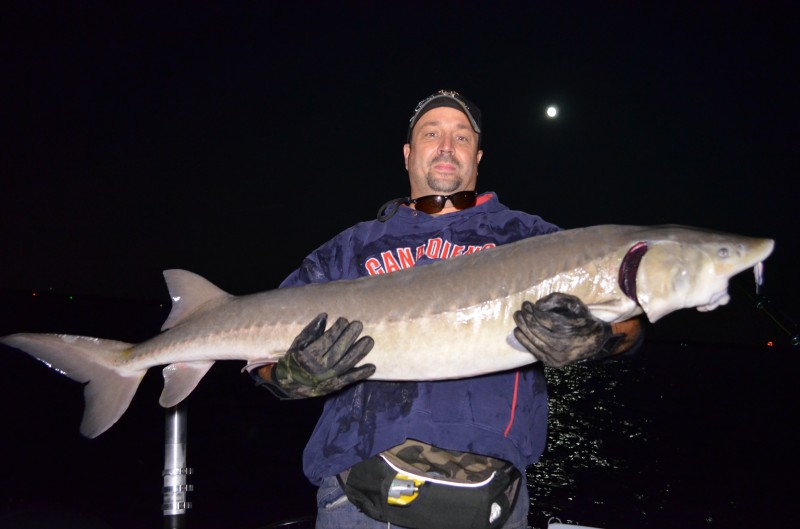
(320, 362)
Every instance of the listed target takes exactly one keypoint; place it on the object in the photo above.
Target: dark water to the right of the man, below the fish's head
(678, 436)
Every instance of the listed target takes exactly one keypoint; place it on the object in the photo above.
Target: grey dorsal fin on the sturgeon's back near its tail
(190, 294)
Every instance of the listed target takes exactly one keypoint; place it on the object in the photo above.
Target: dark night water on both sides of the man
(682, 436)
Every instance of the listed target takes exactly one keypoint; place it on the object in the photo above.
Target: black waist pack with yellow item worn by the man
(419, 486)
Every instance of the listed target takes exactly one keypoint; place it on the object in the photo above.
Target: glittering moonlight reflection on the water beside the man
(591, 430)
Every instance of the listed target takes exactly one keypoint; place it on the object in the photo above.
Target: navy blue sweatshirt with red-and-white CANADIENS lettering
(501, 415)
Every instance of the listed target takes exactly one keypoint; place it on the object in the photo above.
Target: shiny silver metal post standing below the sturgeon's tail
(174, 504)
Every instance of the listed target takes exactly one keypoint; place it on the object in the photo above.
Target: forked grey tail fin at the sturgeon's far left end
(109, 390)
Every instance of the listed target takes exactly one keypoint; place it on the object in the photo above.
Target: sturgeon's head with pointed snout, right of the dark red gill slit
(685, 267)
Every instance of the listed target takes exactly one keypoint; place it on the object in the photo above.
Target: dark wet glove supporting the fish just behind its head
(559, 330)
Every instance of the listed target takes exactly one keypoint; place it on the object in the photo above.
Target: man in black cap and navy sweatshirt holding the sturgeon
(501, 418)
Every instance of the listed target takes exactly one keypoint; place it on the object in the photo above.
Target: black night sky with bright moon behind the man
(232, 139)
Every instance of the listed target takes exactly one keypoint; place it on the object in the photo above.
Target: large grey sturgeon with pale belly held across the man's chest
(450, 319)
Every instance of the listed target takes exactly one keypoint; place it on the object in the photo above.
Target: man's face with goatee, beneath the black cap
(443, 155)
